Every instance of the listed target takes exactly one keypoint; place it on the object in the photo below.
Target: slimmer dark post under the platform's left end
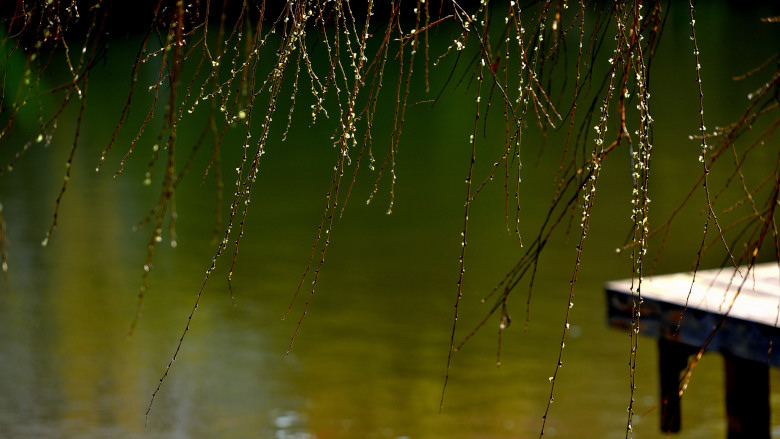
(672, 359)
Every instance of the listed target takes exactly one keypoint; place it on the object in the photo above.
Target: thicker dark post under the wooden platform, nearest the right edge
(747, 398)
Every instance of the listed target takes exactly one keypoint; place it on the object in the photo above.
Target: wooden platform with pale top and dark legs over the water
(683, 316)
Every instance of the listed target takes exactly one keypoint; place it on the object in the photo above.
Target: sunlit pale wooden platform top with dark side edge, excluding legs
(745, 304)
